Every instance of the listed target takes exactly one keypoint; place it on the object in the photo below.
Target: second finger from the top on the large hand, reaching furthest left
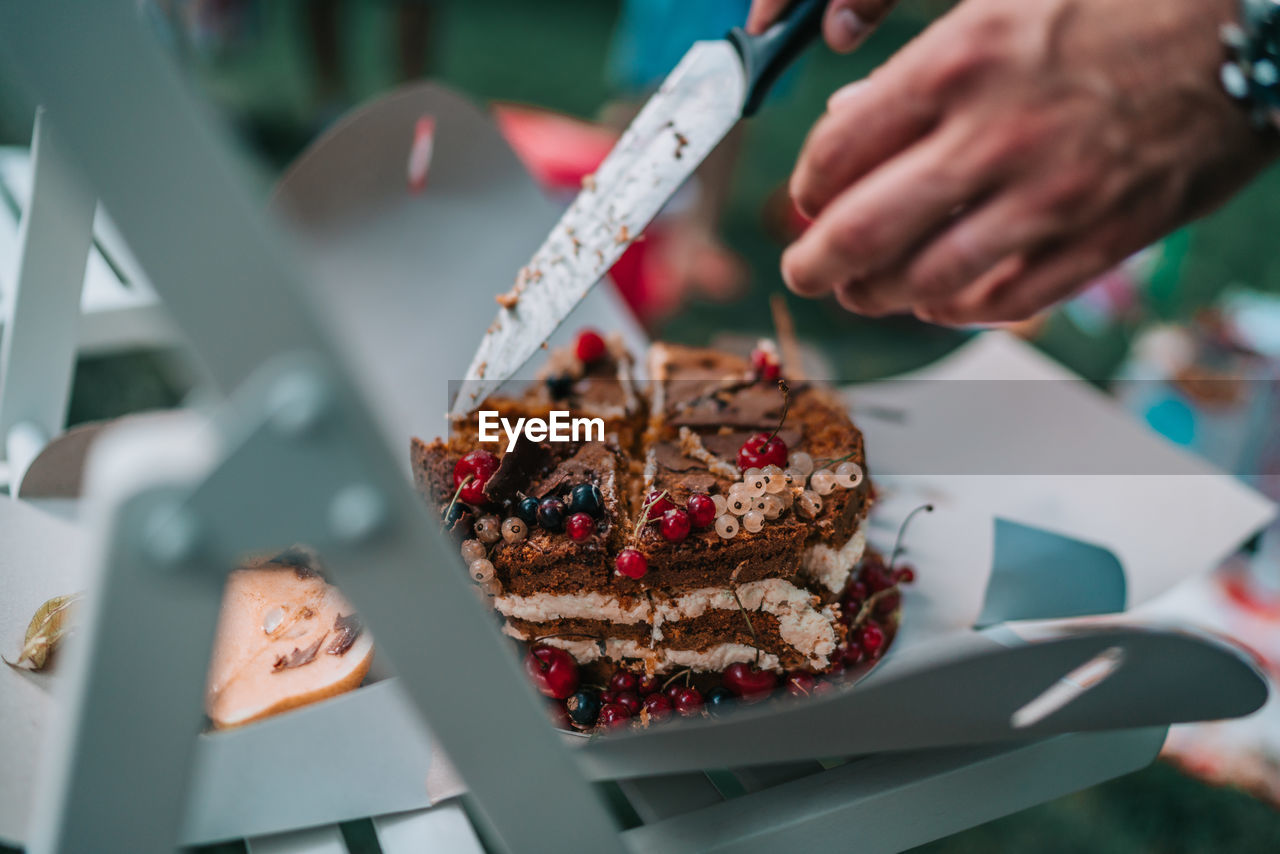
(874, 225)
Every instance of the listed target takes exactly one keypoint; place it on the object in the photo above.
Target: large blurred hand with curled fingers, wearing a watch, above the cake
(1016, 150)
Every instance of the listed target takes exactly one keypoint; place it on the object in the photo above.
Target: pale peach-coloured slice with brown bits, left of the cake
(286, 638)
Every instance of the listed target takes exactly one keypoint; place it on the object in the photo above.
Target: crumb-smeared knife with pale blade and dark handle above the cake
(716, 84)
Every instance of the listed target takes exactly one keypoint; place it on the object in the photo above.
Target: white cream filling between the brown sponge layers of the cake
(801, 624)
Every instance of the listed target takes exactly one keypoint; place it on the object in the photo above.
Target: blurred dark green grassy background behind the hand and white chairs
(280, 90)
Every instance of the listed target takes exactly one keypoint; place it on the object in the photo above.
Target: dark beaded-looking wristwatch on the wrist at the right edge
(1252, 72)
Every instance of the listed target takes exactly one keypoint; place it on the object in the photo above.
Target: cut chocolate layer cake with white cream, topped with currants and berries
(716, 522)
